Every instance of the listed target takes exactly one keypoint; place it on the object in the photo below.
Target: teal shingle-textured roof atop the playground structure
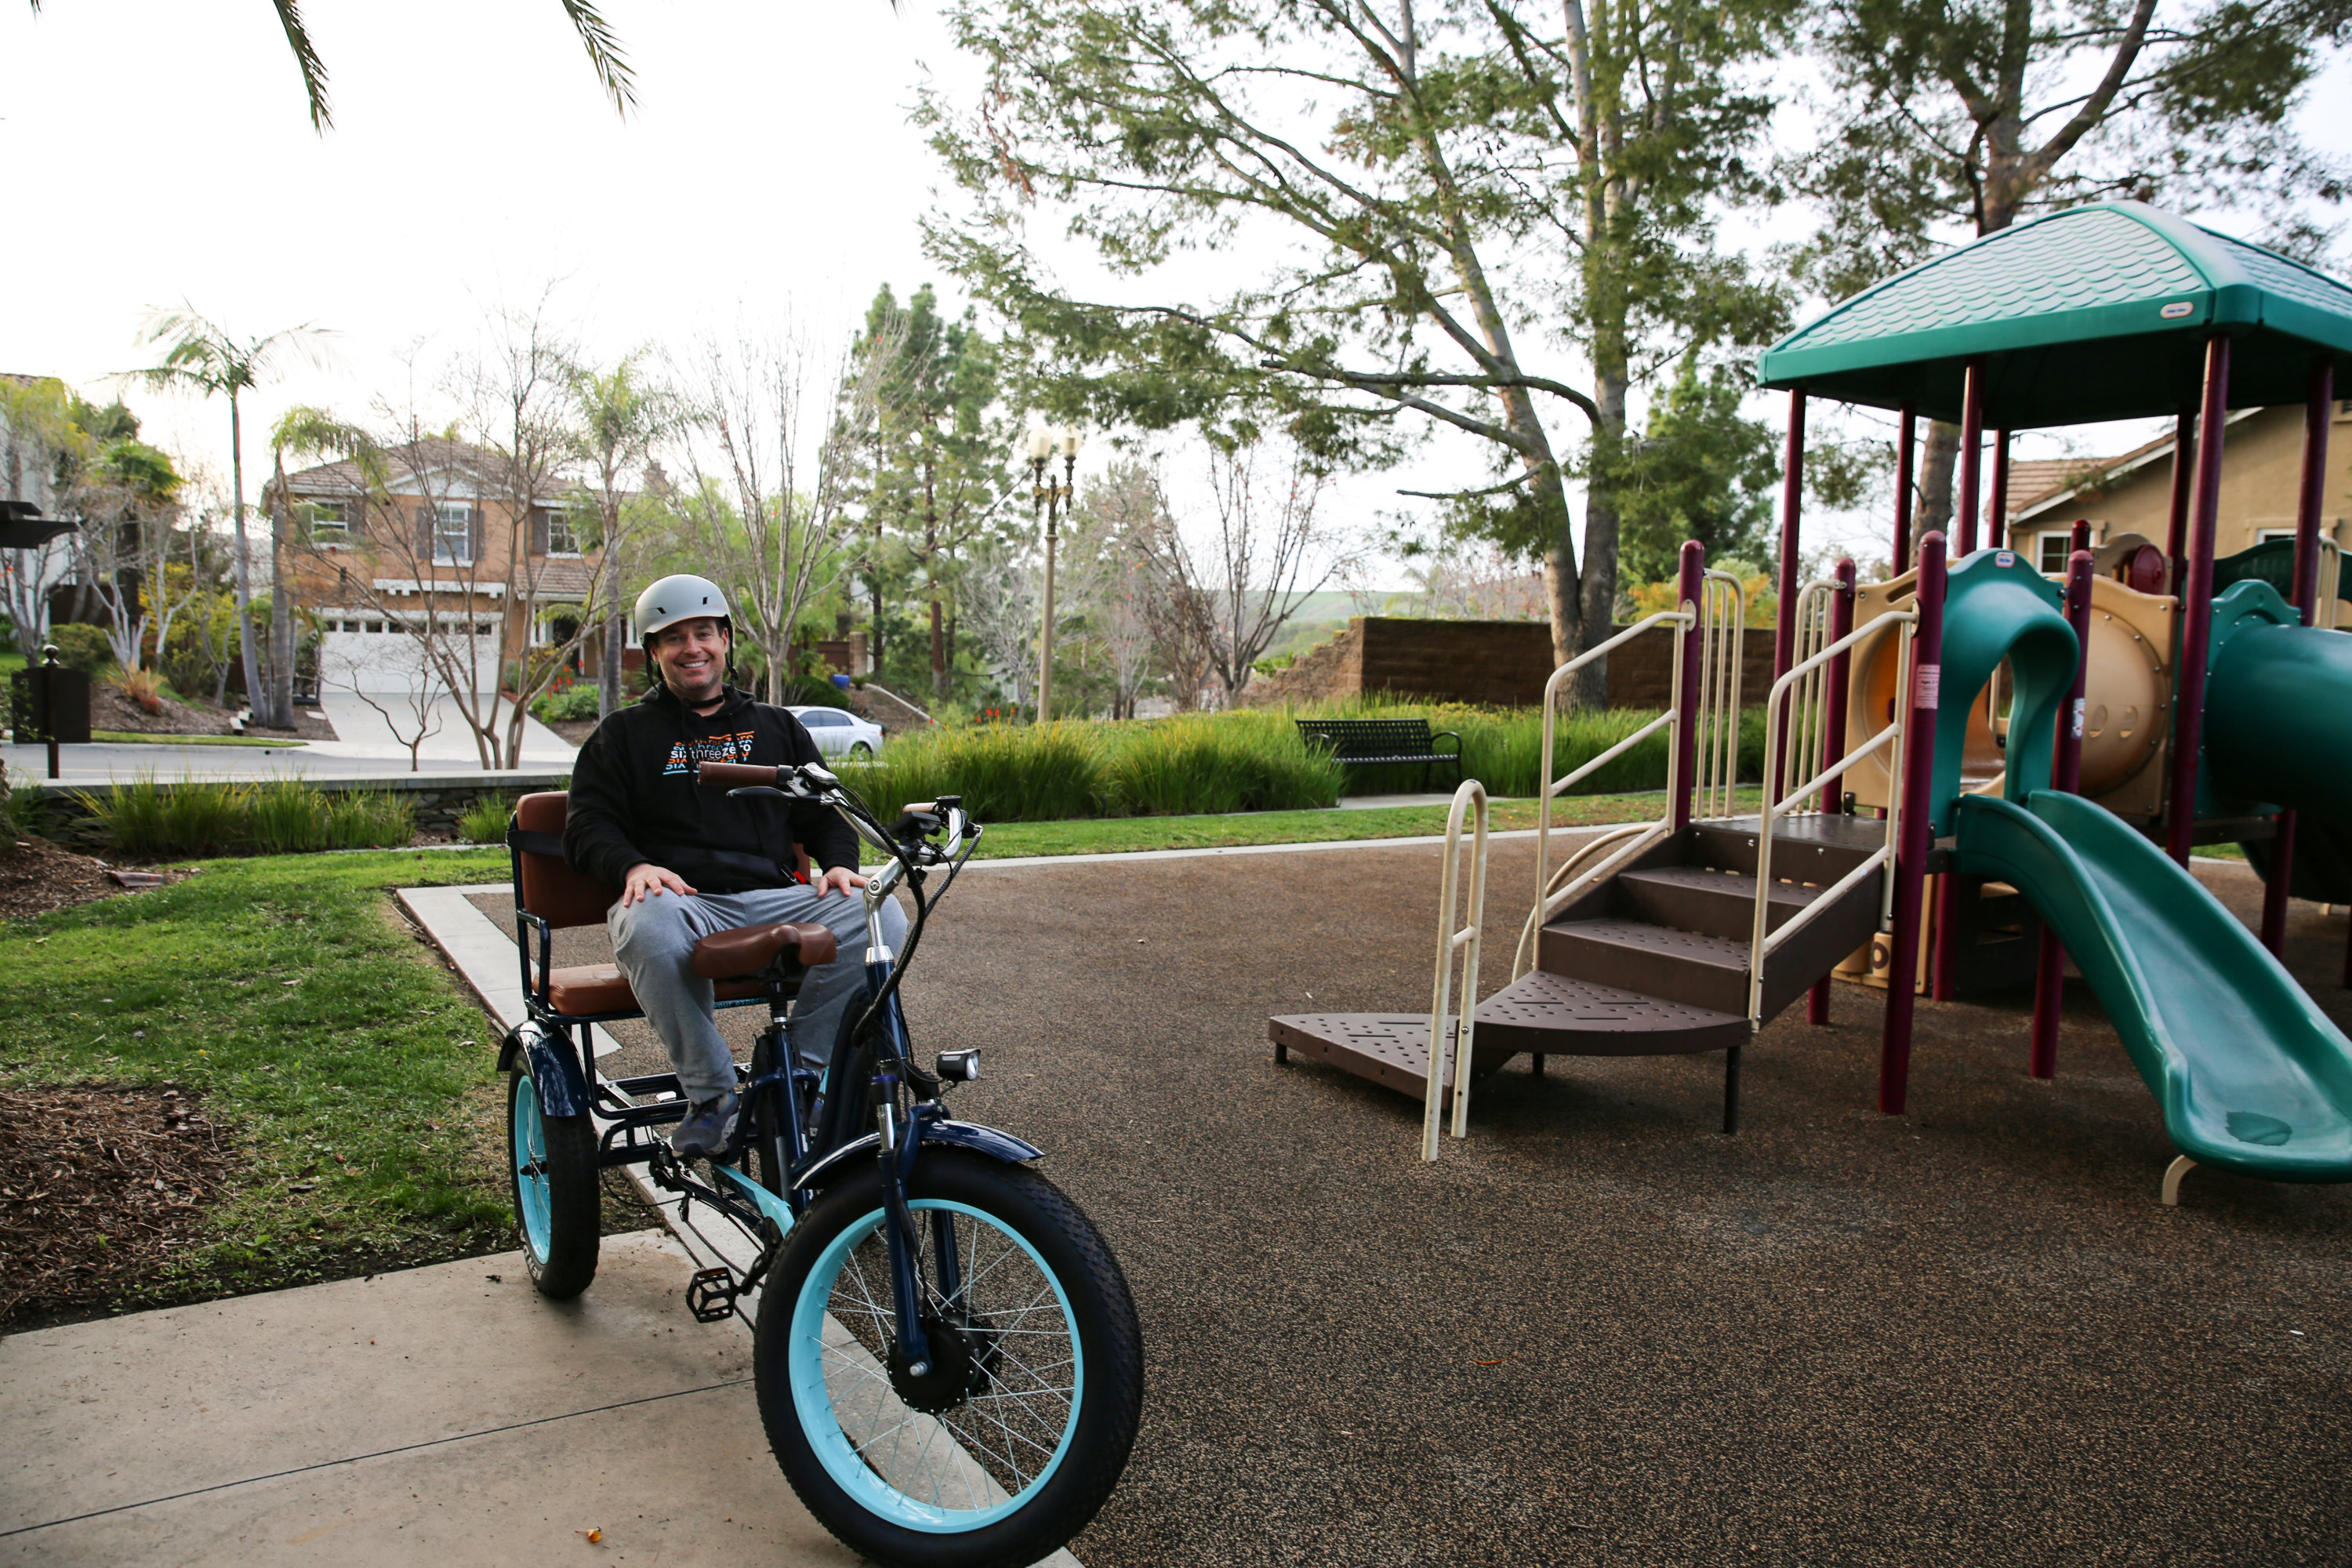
(2083, 316)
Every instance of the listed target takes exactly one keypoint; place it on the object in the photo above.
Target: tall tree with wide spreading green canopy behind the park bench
(1471, 215)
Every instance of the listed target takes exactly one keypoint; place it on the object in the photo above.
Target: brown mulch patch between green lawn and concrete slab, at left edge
(98, 1191)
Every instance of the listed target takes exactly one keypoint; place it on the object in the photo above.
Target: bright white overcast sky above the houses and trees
(159, 152)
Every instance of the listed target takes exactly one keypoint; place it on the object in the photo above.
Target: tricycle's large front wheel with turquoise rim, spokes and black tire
(1017, 1428)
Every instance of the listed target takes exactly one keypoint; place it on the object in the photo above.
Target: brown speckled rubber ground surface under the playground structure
(1598, 1332)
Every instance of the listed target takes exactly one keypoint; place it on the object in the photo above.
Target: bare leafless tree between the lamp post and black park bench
(1255, 577)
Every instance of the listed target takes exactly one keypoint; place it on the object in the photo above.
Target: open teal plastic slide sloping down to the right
(2247, 1068)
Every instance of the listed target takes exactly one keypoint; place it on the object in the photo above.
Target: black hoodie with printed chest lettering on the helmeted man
(636, 798)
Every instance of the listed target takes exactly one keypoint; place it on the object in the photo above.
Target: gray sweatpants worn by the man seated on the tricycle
(653, 942)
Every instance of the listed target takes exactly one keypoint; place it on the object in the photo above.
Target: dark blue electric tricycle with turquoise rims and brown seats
(944, 1348)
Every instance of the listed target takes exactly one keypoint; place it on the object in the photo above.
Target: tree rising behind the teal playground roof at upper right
(1965, 116)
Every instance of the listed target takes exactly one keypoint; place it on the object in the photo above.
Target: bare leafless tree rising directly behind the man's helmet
(768, 516)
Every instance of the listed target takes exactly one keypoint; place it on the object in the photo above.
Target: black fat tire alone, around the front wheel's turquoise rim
(1107, 1332)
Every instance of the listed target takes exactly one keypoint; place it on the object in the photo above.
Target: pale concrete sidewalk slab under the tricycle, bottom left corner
(439, 1416)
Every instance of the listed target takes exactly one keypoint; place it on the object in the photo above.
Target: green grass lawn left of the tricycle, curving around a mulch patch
(326, 1040)
